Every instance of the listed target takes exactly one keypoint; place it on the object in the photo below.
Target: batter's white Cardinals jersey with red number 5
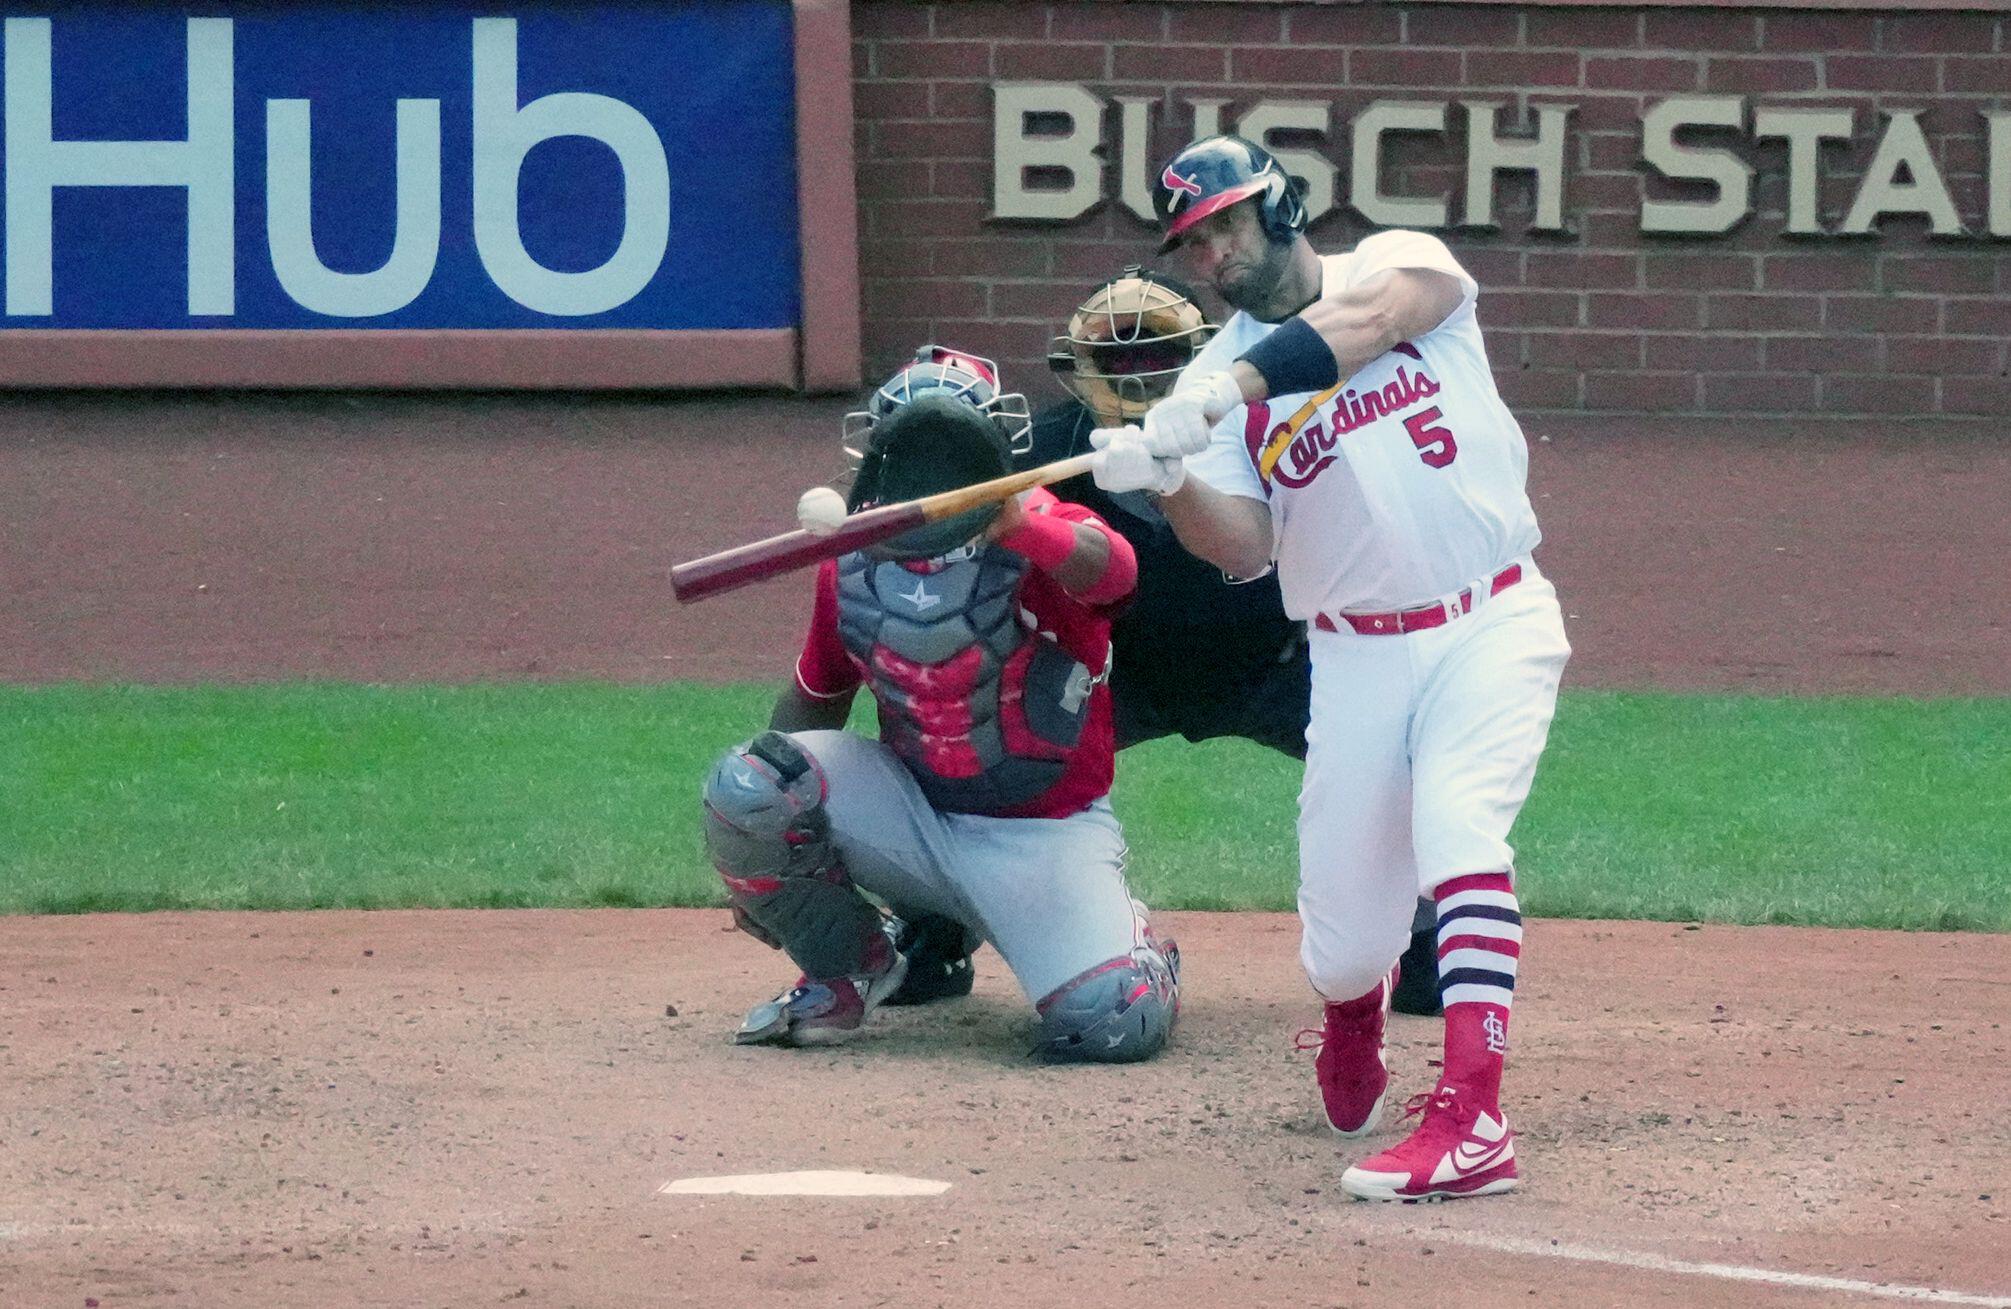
(1397, 488)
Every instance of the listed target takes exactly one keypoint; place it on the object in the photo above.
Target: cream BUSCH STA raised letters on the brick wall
(1057, 176)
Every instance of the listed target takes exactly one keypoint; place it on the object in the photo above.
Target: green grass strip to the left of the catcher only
(309, 797)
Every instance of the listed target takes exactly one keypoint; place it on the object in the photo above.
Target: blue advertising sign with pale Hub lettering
(443, 166)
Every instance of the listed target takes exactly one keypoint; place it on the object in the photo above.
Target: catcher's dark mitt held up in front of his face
(928, 445)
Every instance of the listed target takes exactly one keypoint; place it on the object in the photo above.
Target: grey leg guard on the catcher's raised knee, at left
(771, 841)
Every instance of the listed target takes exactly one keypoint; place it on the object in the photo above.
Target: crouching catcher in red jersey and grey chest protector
(984, 642)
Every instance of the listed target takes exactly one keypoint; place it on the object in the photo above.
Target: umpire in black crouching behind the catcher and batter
(1198, 654)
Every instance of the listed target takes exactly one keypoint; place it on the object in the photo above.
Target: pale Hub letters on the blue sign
(202, 164)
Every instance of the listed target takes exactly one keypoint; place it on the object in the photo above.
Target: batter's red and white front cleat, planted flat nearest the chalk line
(1461, 1149)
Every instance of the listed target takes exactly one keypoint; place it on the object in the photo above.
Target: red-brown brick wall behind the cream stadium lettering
(1606, 319)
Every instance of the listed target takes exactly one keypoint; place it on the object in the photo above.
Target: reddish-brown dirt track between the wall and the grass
(496, 538)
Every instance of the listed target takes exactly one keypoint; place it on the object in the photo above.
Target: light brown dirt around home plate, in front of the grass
(478, 1109)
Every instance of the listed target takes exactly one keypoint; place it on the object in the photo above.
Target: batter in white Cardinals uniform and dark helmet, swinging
(1346, 425)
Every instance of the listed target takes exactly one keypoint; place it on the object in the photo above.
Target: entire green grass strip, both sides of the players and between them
(1881, 813)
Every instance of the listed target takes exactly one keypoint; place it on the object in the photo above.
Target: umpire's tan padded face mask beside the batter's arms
(1127, 345)
